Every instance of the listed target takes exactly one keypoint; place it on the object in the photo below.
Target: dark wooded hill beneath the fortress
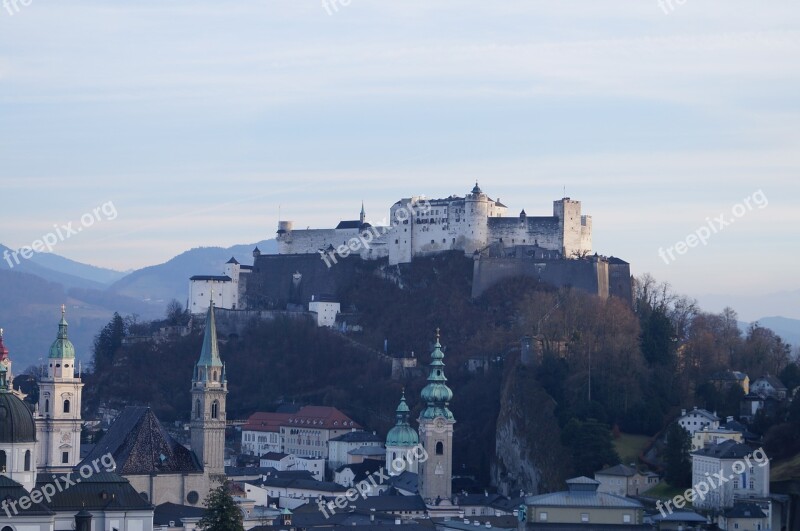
(602, 363)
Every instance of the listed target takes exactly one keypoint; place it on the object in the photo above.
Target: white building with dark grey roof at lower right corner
(747, 474)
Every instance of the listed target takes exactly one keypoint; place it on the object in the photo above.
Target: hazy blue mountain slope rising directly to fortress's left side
(161, 283)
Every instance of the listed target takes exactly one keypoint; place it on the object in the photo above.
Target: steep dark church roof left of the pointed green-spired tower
(140, 445)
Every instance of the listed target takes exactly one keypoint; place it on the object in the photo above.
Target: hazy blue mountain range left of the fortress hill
(33, 290)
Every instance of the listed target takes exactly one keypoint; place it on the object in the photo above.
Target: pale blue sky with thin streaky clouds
(196, 123)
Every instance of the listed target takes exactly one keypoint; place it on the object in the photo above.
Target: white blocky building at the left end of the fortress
(227, 288)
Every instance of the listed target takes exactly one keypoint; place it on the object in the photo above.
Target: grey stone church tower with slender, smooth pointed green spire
(209, 392)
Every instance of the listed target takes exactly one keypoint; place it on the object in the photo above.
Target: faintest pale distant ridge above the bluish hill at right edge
(753, 307)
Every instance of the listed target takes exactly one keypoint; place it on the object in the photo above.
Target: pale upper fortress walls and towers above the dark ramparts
(419, 226)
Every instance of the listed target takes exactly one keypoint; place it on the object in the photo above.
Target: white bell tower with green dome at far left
(58, 416)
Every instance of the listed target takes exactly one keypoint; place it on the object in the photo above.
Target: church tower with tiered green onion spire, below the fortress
(436, 433)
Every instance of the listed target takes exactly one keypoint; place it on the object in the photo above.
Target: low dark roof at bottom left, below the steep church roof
(99, 491)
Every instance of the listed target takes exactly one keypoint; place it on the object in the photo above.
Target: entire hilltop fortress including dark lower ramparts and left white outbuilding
(556, 250)
